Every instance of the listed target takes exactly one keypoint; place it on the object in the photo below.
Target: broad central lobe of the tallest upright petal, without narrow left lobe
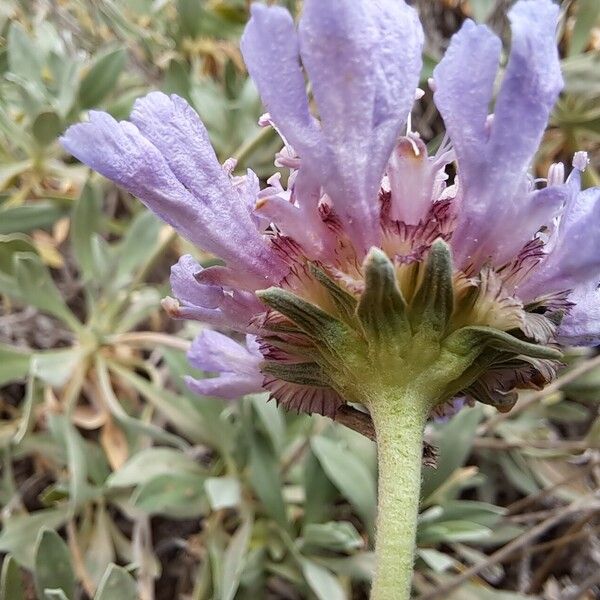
(363, 58)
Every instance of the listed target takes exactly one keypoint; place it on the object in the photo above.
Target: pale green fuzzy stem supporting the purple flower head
(399, 423)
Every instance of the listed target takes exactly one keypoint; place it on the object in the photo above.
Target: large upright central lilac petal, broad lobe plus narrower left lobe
(363, 59)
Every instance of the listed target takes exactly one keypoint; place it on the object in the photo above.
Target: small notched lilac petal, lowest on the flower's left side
(238, 366)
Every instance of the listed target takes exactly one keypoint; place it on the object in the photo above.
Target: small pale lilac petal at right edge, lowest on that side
(581, 326)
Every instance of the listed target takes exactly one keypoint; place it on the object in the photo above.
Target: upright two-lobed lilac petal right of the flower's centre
(493, 156)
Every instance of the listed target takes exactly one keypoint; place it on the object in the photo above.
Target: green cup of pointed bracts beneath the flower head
(377, 339)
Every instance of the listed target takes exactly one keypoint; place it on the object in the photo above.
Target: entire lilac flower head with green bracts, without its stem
(371, 267)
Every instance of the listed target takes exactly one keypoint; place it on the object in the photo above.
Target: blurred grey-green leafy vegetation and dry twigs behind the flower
(119, 484)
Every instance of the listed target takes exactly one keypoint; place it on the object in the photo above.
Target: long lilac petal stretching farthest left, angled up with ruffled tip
(165, 159)
